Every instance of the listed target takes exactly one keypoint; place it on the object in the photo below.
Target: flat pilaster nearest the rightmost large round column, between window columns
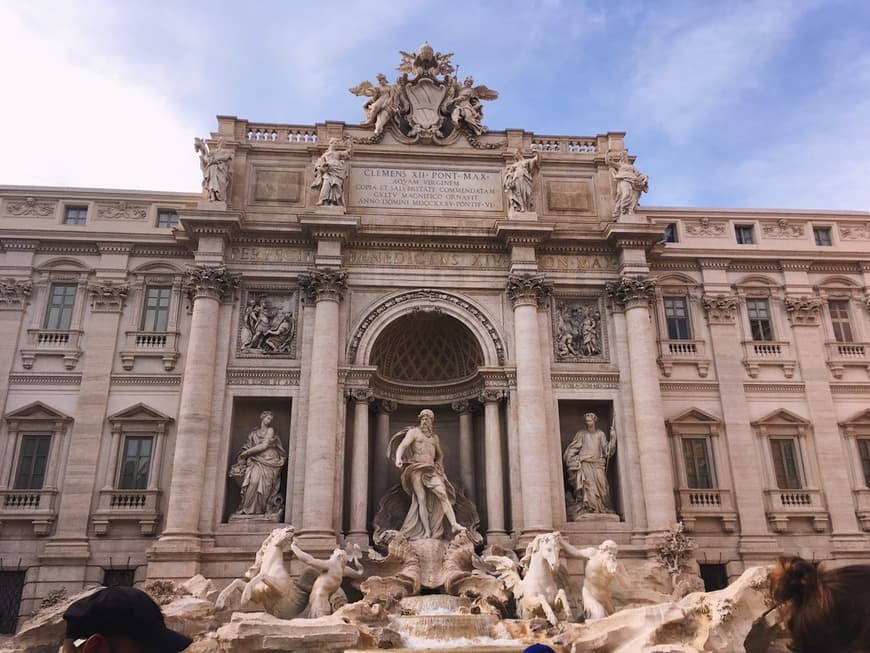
(721, 310)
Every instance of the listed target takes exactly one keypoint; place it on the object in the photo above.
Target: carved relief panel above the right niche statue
(578, 333)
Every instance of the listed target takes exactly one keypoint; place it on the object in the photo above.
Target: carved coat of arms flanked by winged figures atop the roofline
(426, 102)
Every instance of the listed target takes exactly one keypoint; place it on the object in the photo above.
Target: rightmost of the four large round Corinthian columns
(635, 294)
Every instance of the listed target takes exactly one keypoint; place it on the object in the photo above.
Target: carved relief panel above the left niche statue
(268, 322)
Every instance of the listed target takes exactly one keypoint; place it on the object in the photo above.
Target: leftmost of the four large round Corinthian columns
(206, 285)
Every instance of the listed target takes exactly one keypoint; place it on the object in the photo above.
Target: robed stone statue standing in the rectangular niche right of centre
(586, 460)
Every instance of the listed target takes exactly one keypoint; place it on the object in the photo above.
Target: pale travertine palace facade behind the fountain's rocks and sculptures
(137, 355)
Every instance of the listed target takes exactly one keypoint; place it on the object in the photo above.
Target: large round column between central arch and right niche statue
(526, 293)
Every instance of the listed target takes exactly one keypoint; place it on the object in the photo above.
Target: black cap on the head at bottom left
(123, 612)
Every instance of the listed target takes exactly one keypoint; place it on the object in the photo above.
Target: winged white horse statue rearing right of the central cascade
(538, 580)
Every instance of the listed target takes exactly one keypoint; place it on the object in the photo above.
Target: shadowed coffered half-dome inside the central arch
(426, 348)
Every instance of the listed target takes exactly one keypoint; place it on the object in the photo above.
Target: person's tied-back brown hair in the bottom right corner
(826, 610)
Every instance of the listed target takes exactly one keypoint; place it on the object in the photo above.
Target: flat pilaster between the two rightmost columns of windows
(804, 315)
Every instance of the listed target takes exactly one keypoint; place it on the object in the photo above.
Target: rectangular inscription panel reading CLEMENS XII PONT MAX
(419, 188)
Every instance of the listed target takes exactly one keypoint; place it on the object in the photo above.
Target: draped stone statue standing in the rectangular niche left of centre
(258, 472)
